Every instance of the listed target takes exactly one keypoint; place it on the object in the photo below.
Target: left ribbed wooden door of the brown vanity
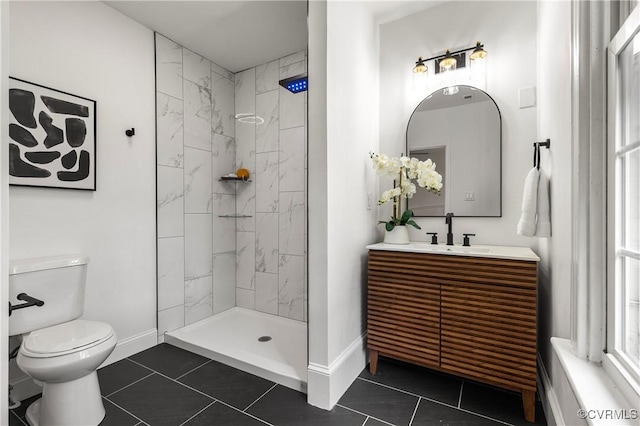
(403, 308)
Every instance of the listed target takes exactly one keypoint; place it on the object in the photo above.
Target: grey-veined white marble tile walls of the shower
(228, 244)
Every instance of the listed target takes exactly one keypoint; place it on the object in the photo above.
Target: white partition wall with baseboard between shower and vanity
(340, 226)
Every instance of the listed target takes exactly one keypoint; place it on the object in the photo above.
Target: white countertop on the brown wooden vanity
(475, 250)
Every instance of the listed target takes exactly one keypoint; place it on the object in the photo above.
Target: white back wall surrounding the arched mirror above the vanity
(508, 31)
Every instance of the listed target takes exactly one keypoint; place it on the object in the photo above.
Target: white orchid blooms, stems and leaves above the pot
(405, 169)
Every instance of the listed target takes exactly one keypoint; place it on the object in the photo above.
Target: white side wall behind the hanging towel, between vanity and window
(554, 122)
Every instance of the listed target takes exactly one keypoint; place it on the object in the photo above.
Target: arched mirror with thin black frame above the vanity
(462, 134)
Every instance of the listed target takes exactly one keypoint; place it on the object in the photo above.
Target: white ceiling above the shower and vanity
(242, 34)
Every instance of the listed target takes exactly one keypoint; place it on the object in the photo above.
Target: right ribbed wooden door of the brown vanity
(488, 313)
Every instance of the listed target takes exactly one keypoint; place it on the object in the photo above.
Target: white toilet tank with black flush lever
(58, 281)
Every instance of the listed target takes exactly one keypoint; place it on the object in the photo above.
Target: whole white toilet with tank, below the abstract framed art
(59, 350)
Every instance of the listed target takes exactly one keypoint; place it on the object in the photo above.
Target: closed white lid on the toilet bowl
(66, 337)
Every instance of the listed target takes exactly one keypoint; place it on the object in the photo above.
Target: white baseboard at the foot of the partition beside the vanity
(327, 384)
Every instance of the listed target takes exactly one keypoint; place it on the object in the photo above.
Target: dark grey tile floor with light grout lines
(166, 385)
